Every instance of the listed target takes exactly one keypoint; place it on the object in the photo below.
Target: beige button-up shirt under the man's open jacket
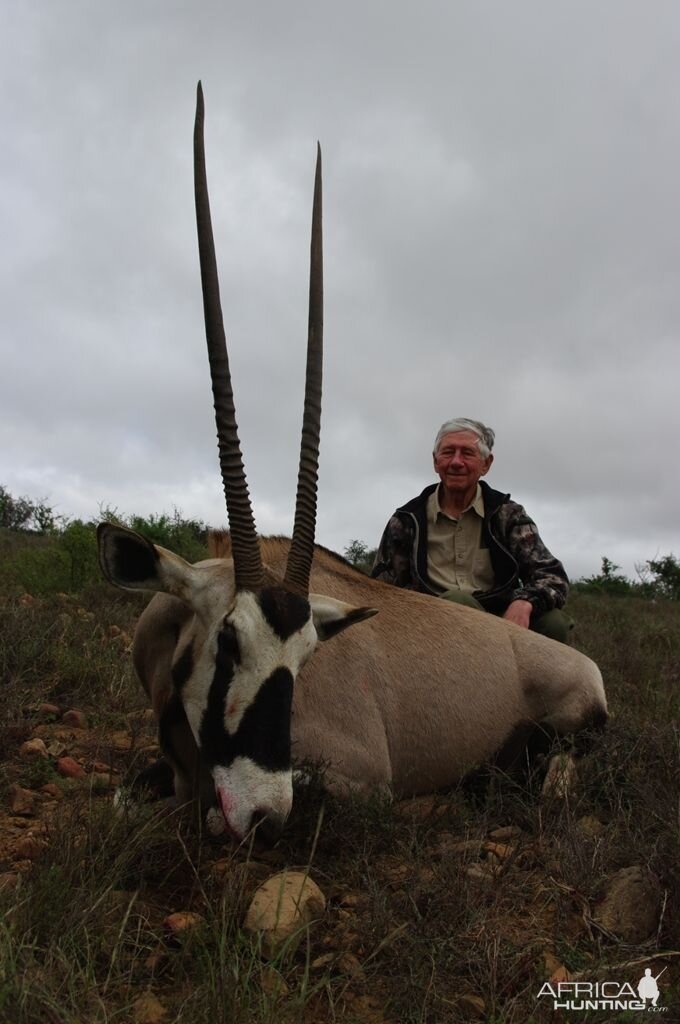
(456, 560)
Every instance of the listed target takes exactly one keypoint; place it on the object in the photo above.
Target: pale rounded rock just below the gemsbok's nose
(281, 910)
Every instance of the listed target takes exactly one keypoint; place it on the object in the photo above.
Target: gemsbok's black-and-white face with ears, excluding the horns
(233, 672)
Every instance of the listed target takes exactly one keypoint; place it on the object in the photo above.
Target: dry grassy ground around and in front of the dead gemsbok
(416, 931)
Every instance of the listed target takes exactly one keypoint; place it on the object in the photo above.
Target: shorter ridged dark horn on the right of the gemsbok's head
(303, 546)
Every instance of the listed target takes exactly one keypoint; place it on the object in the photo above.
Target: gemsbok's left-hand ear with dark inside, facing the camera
(131, 562)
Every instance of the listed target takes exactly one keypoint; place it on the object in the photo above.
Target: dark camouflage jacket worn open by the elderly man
(523, 566)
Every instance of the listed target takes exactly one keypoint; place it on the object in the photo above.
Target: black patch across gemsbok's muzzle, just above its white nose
(265, 732)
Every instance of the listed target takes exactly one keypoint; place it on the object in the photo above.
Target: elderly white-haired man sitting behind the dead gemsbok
(463, 541)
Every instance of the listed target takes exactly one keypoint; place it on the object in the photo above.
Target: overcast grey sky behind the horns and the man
(502, 241)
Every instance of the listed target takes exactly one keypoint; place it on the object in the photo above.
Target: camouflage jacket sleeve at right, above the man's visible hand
(542, 577)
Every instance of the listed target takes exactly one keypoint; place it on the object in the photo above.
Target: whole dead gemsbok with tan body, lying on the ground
(227, 651)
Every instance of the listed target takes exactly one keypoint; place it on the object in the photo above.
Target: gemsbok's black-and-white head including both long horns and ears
(242, 636)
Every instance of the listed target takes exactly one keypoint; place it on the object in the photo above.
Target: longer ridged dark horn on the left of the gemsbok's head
(245, 547)
